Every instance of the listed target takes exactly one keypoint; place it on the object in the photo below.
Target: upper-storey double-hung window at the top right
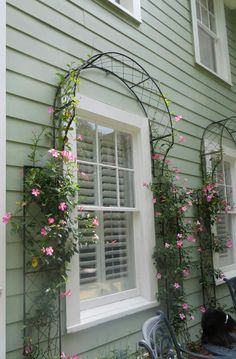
(210, 37)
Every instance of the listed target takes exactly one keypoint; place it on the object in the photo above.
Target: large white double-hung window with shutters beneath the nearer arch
(113, 274)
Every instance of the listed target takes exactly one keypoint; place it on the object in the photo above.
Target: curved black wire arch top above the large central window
(143, 87)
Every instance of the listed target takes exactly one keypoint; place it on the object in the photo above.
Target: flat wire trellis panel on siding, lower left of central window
(42, 321)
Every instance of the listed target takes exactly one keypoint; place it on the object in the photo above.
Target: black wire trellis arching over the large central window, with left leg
(43, 330)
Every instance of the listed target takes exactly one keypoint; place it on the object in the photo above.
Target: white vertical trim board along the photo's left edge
(3, 178)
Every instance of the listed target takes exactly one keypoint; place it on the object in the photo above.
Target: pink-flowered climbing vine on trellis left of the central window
(52, 226)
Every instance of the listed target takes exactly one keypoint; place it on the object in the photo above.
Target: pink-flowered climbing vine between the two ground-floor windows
(183, 217)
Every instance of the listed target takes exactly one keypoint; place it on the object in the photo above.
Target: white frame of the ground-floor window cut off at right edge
(229, 270)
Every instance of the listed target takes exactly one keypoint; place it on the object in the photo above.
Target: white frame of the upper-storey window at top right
(222, 53)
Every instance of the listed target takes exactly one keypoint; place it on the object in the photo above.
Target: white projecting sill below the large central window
(108, 312)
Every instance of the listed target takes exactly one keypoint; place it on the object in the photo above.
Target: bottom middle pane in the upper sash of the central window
(109, 186)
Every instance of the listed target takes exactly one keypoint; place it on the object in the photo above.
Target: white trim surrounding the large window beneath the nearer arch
(78, 319)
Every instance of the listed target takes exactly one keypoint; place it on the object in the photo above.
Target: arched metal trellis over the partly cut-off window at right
(215, 136)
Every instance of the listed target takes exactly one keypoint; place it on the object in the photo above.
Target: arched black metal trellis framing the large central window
(155, 107)
